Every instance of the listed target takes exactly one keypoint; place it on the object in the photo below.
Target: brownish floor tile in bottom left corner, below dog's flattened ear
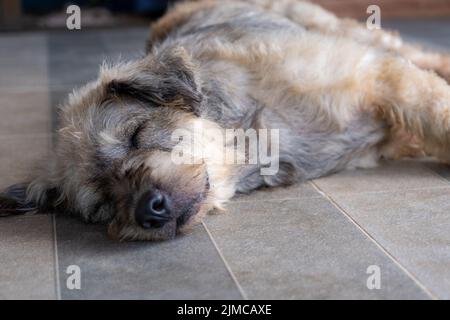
(27, 268)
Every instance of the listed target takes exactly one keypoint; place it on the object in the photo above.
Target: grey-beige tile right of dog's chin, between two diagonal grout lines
(303, 249)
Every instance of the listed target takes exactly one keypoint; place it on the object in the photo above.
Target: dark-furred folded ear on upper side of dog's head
(169, 80)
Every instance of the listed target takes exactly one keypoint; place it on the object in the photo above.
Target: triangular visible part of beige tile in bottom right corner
(414, 226)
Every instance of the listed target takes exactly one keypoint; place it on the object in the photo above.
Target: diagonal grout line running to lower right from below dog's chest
(382, 248)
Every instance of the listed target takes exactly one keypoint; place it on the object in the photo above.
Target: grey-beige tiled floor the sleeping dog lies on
(314, 240)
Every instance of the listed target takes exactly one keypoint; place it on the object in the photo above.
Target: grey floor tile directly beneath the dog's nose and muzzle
(188, 267)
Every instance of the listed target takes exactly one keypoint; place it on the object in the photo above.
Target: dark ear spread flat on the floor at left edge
(34, 197)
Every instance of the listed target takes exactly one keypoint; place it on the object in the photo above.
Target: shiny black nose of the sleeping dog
(152, 210)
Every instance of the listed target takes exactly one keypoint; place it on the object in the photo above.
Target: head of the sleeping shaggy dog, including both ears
(113, 161)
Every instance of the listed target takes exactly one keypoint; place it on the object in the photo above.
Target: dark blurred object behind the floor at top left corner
(32, 14)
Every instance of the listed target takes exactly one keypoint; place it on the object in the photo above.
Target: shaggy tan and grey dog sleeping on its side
(336, 94)
